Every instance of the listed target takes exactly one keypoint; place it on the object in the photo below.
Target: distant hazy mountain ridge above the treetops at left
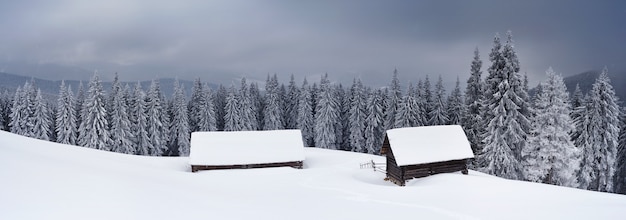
(50, 88)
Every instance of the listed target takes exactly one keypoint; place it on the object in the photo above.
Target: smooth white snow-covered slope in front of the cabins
(42, 180)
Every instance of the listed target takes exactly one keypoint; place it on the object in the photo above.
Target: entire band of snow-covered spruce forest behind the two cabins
(552, 137)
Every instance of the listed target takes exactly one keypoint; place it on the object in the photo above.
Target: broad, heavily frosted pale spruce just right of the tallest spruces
(550, 156)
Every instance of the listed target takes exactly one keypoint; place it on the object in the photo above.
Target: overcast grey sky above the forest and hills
(223, 40)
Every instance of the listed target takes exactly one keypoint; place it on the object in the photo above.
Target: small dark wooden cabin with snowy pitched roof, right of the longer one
(422, 151)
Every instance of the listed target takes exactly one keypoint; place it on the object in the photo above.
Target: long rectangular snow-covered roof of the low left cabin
(245, 147)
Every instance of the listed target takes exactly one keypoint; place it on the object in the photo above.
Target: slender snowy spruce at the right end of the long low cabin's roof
(305, 114)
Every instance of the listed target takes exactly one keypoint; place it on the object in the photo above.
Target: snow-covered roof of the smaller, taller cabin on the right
(428, 144)
